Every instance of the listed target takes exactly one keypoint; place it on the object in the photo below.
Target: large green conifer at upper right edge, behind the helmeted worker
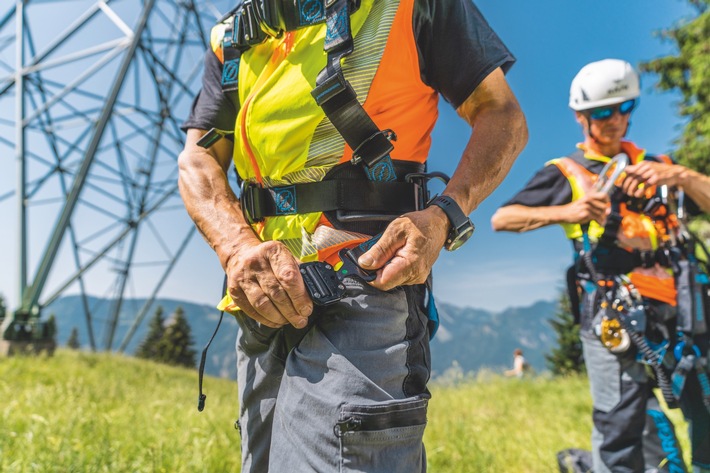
(688, 71)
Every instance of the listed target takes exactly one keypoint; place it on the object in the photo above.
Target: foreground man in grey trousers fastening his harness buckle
(326, 110)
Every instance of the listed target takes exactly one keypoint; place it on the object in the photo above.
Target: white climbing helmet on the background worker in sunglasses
(605, 82)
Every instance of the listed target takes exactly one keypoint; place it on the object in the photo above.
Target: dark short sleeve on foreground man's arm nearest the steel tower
(211, 108)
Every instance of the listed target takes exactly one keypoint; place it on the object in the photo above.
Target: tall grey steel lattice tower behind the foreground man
(92, 94)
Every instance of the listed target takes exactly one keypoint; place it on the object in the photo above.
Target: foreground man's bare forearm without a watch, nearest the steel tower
(212, 205)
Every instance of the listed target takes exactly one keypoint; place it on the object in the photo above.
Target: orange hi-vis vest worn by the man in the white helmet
(637, 231)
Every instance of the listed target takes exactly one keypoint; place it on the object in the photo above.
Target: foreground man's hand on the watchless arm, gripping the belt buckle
(265, 282)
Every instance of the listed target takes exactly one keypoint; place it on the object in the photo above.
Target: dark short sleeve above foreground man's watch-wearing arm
(457, 47)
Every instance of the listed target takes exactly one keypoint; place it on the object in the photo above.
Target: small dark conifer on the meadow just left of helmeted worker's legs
(567, 357)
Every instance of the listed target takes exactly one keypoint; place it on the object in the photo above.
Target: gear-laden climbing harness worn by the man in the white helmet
(623, 312)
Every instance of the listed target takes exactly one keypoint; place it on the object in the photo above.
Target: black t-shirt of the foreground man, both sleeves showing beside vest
(457, 50)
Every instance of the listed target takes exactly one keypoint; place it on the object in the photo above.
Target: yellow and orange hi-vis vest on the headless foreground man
(283, 137)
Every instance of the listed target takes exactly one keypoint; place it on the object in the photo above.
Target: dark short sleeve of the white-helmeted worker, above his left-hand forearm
(547, 188)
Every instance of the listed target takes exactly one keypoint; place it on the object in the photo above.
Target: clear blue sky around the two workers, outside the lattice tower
(552, 40)
